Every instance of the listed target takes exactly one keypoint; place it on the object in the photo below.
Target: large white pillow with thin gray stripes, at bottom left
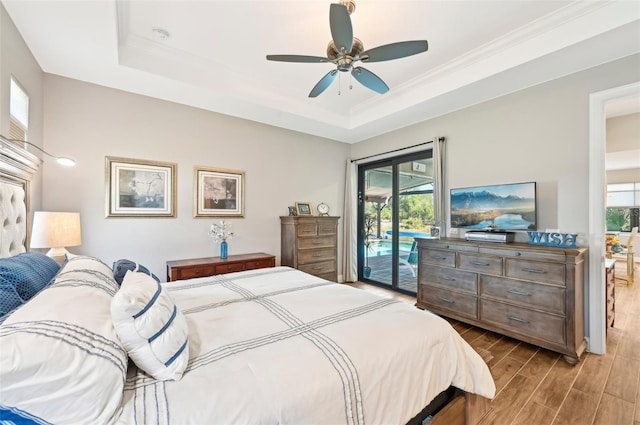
(60, 358)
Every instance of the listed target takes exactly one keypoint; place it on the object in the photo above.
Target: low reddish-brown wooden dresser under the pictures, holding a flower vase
(201, 267)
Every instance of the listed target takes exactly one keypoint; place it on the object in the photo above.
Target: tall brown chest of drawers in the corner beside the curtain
(310, 244)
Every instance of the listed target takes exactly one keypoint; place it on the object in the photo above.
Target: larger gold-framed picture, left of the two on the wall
(140, 188)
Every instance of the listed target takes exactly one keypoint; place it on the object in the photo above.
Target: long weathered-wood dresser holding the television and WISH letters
(531, 293)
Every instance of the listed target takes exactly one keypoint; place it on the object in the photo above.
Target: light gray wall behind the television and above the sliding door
(539, 134)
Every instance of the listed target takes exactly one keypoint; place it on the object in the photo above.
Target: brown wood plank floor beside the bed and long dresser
(536, 386)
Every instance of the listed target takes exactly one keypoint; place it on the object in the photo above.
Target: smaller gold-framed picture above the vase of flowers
(218, 192)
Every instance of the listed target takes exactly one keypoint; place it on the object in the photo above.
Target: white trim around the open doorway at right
(595, 293)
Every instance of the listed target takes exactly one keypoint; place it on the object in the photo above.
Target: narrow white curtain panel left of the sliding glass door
(350, 224)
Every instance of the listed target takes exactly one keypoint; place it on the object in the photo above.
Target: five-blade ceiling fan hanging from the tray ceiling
(345, 49)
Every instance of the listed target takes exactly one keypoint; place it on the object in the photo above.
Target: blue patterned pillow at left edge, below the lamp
(22, 276)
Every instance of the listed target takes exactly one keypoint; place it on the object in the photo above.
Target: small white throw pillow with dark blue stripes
(152, 329)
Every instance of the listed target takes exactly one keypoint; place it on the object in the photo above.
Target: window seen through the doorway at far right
(623, 206)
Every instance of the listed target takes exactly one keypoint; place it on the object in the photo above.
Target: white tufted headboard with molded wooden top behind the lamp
(17, 167)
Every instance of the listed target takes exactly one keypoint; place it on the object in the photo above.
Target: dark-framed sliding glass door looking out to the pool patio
(395, 207)
